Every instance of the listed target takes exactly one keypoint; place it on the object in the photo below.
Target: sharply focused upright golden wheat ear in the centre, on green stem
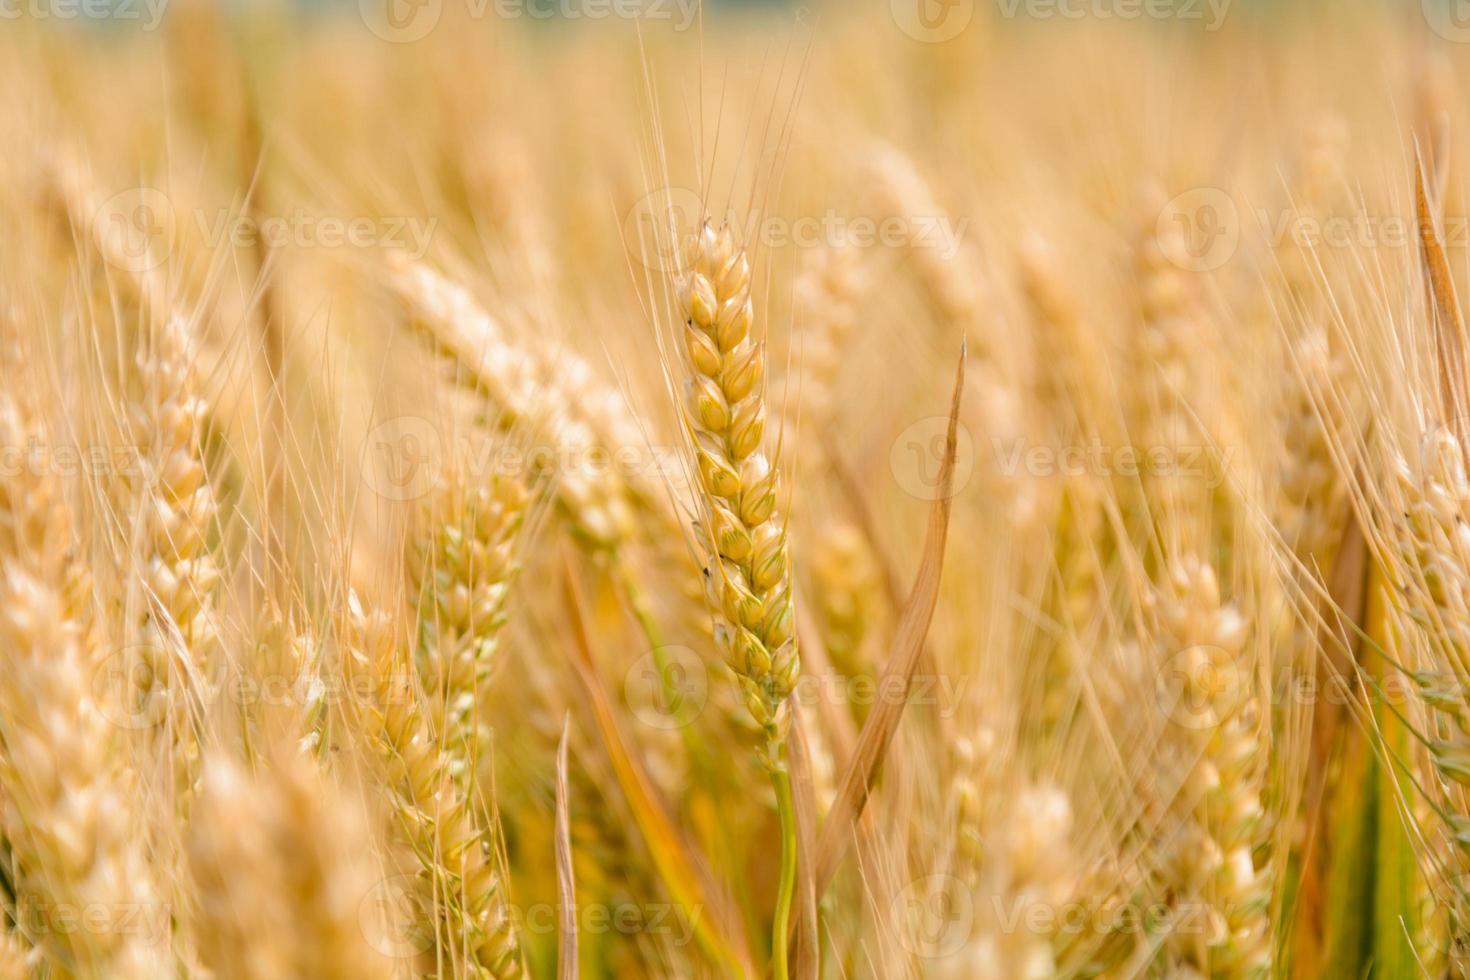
(749, 575)
